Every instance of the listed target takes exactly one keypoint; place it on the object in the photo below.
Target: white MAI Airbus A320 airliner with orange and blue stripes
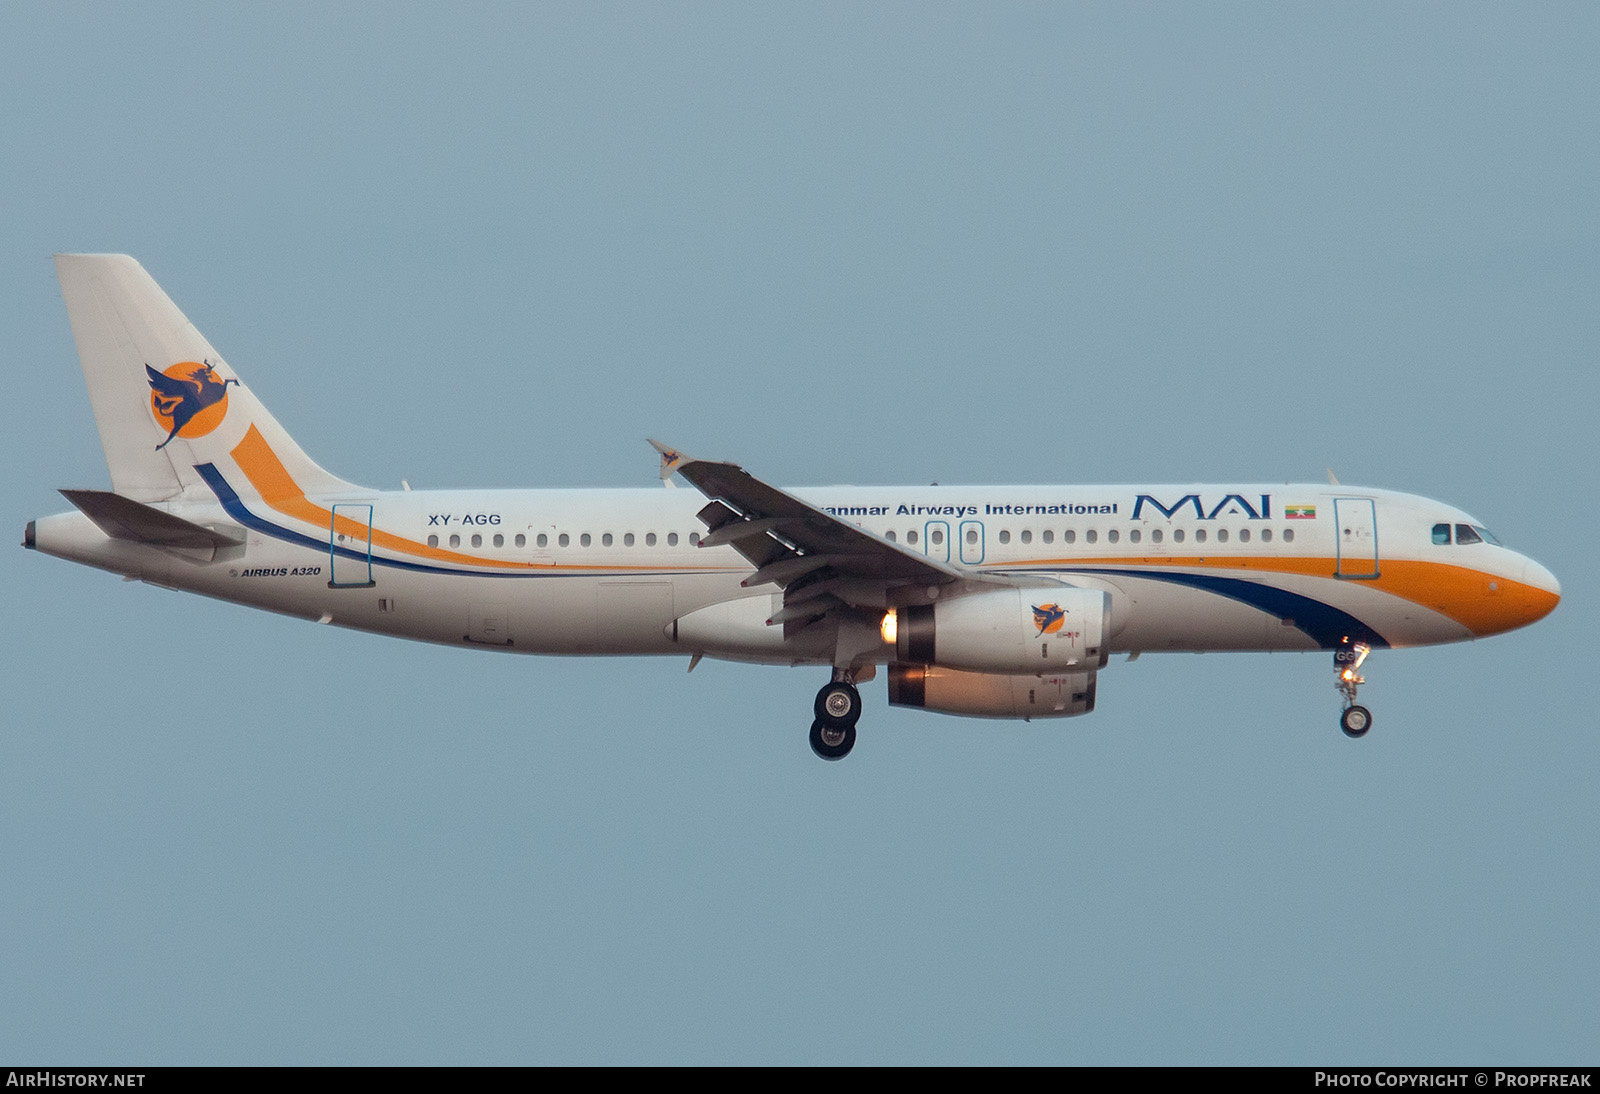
(990, 602)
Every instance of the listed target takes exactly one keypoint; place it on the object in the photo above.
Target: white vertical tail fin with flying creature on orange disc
(167, 404)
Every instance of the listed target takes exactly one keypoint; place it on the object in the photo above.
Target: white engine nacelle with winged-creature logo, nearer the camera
(1009, 631)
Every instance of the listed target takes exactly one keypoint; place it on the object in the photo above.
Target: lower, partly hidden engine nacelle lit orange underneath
(982, 695)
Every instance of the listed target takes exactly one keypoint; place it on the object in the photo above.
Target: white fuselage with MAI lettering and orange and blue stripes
(607, 572)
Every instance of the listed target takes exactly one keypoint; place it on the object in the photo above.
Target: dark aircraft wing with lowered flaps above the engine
(812, 556)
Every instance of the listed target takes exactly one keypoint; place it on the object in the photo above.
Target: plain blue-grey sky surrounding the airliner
(498, 246)
